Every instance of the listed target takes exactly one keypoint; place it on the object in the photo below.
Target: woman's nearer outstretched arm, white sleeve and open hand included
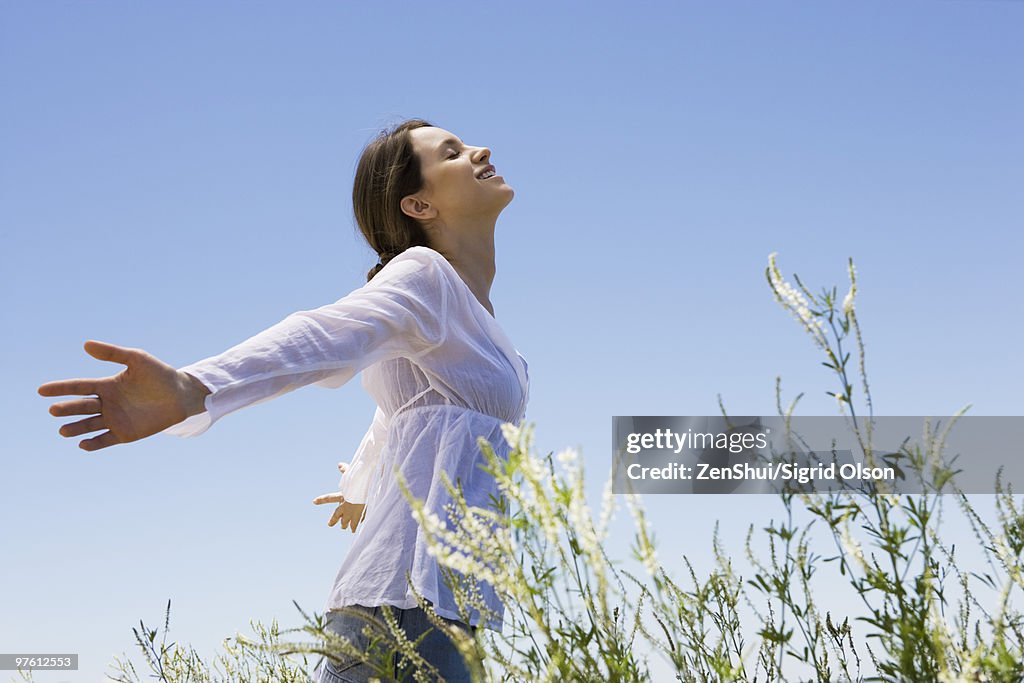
(401, 313)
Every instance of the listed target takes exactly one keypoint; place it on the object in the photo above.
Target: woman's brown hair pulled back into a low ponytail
(389, 170)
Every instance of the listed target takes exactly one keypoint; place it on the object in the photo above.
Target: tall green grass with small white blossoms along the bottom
(574, 614)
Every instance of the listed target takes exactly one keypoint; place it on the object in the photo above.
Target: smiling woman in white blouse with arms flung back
(440, 367)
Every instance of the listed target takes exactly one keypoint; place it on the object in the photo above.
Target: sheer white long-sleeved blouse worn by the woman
(443, 373)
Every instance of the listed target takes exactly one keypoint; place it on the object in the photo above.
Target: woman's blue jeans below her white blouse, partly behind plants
(437, 649)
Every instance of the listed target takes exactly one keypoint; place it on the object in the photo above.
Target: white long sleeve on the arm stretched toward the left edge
(402, 313)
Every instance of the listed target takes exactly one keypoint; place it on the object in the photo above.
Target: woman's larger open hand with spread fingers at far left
(144, 400)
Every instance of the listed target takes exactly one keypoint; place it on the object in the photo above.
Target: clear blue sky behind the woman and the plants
(178, 178)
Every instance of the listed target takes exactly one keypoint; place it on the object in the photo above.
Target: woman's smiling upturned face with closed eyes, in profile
(454, 194)
